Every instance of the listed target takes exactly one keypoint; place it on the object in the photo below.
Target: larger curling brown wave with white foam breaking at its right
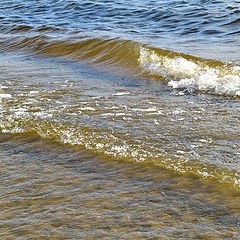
(177, 70)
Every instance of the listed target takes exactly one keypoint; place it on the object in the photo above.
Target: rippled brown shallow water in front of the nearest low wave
(52, 192)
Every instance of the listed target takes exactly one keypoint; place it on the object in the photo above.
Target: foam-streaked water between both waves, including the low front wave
(137, 120)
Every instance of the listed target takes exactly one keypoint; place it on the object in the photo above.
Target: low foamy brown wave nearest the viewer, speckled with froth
(110, 144)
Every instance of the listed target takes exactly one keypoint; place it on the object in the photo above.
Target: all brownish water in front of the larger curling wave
(91, 155)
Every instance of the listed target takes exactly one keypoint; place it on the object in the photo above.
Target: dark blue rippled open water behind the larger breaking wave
(205, 28)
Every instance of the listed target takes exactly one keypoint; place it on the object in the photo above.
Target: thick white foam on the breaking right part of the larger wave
(189, 75)
